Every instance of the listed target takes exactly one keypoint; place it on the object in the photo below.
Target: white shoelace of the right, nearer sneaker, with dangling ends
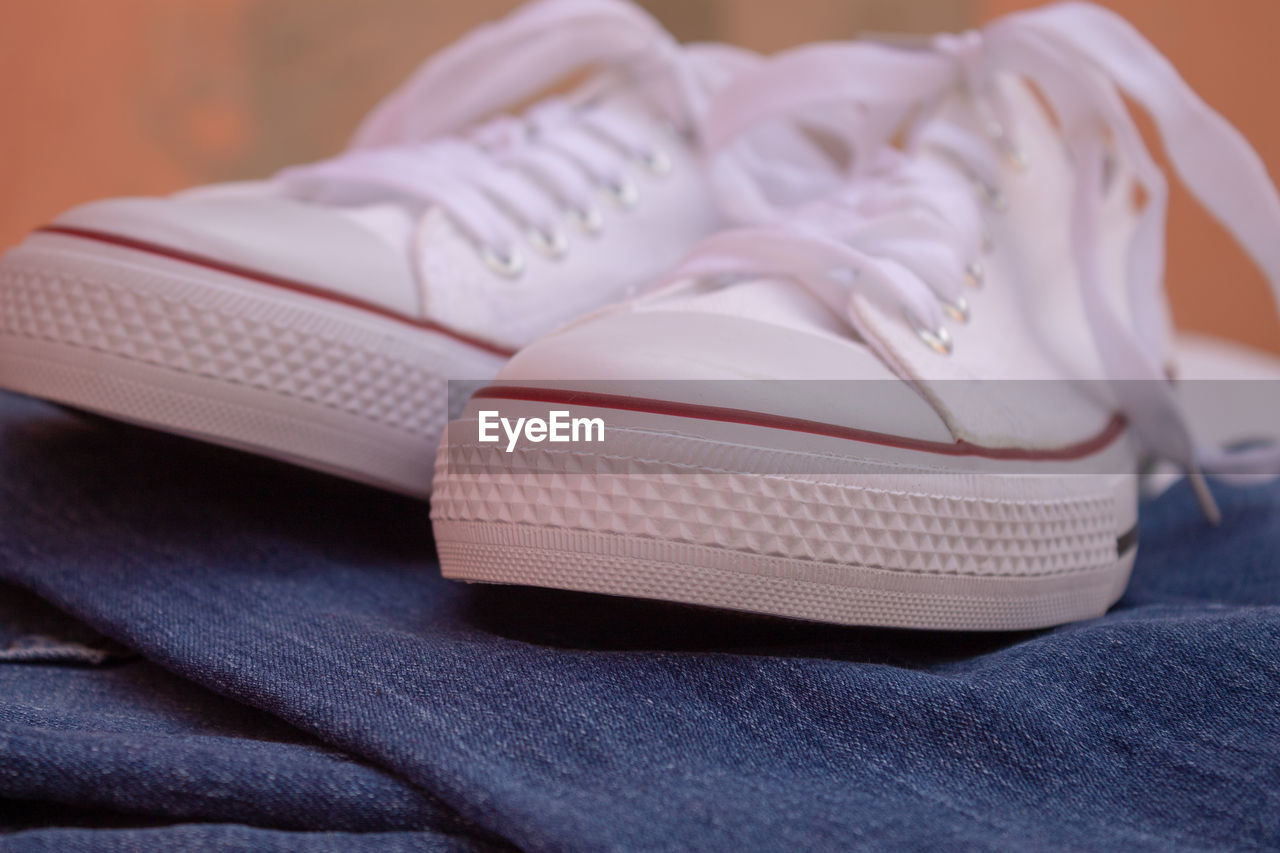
(920, 240)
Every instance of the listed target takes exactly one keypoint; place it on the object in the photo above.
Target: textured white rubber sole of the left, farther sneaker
(207, 354)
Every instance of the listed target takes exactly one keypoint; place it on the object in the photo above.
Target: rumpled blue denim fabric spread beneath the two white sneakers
(568, 722)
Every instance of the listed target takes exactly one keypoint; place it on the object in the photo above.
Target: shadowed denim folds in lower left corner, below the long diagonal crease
(88, 727)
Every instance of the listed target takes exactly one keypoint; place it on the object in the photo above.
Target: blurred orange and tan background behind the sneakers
(147, 97)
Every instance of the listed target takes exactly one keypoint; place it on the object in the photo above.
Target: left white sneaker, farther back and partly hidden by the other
(317, 317)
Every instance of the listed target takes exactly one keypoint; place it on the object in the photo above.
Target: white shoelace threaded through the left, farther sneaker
(510, 180)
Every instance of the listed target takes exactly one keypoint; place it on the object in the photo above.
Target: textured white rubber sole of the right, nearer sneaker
(733, 517)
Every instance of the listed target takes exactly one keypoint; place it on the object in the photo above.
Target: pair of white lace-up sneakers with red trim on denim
(875, 334)
